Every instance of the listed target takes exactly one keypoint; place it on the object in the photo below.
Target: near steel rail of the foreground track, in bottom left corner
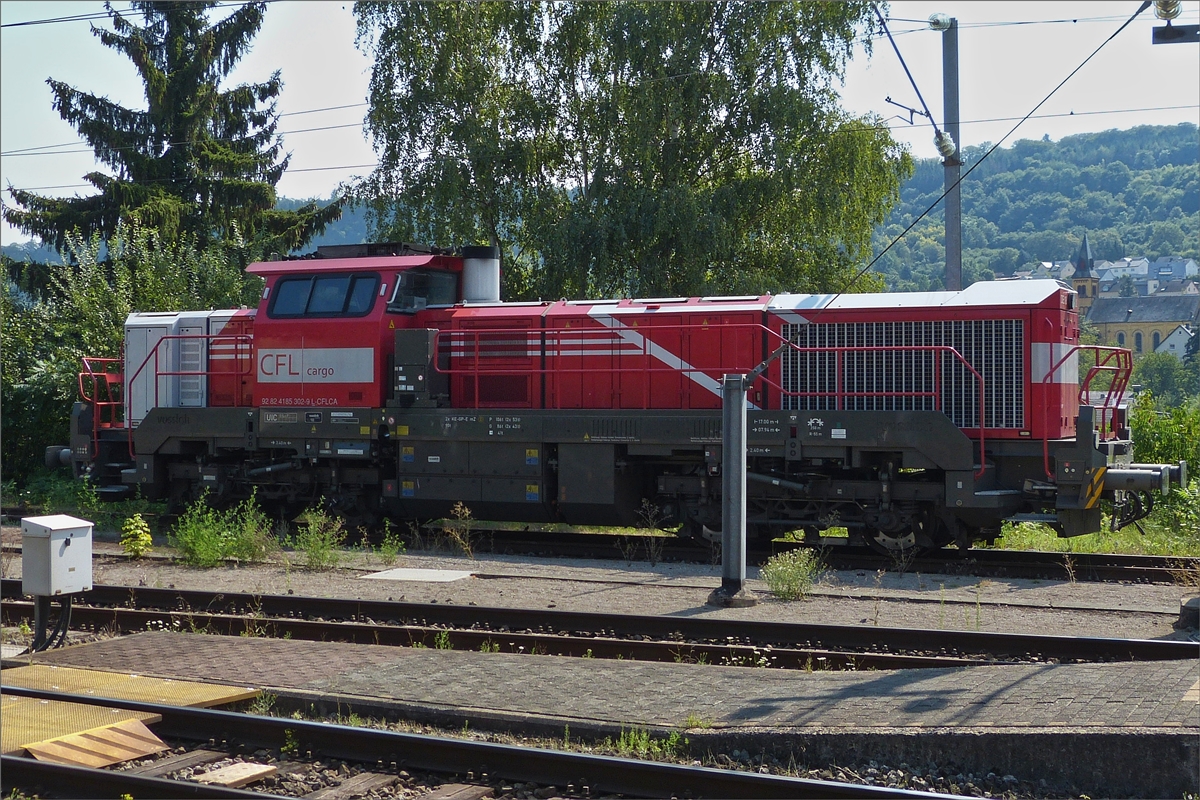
(68, 781)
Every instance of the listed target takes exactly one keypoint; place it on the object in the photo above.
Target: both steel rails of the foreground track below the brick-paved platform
(460, 763)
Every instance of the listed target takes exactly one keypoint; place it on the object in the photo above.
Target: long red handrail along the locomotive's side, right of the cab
(538, 342)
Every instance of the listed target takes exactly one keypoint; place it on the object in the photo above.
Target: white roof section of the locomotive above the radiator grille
(991, 293)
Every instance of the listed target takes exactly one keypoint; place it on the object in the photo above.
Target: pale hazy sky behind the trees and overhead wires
(1012, 55)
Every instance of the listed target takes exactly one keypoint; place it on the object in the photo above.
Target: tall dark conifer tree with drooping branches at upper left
(200, 161)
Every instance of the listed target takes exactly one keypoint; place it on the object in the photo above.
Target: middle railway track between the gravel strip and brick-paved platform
(579, 634)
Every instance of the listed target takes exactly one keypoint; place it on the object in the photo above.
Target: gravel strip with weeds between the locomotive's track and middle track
(842, 598)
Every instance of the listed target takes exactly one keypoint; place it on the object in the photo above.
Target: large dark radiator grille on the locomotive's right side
(994, 347)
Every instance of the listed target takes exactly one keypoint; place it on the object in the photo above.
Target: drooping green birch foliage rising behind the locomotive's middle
(628, 149)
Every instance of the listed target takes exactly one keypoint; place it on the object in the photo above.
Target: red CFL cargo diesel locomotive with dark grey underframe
(387, 380)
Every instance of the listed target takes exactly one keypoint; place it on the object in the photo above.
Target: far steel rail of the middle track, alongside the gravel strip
(664, 628)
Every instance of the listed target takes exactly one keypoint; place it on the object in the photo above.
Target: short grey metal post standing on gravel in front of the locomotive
(733, 592)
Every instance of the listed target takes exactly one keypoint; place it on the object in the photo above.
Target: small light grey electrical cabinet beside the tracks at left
(56, 556)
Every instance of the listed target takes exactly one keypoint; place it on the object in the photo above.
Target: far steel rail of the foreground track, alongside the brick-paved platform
(458, 756)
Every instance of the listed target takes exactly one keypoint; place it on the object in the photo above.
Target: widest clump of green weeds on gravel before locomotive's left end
(206, 537)
